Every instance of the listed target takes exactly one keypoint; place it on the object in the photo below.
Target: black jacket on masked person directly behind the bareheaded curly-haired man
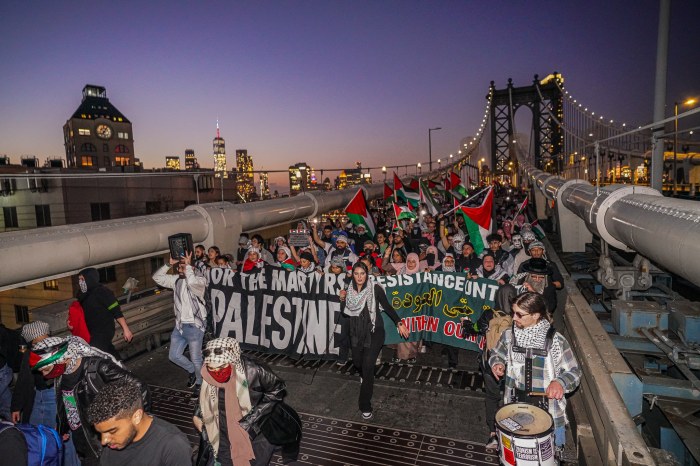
(97, 373)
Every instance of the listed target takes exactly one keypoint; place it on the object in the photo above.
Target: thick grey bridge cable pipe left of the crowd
(47, 253)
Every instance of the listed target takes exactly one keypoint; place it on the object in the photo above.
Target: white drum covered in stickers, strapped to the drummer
(525, 435)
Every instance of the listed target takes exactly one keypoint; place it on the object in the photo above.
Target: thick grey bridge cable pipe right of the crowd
(665, 230)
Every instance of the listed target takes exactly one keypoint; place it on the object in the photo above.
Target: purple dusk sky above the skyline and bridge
(328, 83)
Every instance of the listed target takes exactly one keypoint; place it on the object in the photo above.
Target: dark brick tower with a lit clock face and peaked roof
(98, 135)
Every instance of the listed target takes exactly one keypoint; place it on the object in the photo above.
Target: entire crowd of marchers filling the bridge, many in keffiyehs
(101, 412)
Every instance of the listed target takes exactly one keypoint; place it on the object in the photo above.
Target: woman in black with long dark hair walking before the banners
(362, 303)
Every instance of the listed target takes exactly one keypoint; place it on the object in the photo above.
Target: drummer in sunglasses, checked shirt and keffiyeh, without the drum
(538, 362)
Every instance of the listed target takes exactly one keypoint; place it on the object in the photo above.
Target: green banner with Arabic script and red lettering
(432, 303)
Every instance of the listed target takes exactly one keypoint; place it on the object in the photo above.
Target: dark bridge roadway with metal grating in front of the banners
(444, 425)
